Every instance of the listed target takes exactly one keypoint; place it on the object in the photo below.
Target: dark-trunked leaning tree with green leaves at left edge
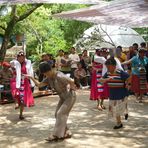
(16, 15)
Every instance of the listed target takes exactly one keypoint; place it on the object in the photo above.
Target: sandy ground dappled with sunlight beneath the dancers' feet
(90, 127)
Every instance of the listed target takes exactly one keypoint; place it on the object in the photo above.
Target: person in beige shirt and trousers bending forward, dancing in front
(65, 88)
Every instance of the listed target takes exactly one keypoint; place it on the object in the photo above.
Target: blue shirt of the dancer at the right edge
(138, 62)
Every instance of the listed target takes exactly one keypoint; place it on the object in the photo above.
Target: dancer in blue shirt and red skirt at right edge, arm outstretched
(138, 80)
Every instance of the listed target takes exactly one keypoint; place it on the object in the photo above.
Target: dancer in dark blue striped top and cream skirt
(117, 91)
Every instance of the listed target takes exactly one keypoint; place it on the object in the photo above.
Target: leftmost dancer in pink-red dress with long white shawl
(20, 86)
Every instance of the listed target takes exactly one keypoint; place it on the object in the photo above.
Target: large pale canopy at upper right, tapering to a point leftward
(132, 13)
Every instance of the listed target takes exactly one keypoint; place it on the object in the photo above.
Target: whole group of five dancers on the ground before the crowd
(108, 81)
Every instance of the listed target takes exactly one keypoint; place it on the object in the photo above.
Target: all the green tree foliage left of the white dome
(43, 33)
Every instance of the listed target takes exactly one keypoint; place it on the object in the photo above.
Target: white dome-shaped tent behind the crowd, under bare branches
(109, 36)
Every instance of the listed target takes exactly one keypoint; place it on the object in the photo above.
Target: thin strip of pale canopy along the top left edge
(51, 1)
